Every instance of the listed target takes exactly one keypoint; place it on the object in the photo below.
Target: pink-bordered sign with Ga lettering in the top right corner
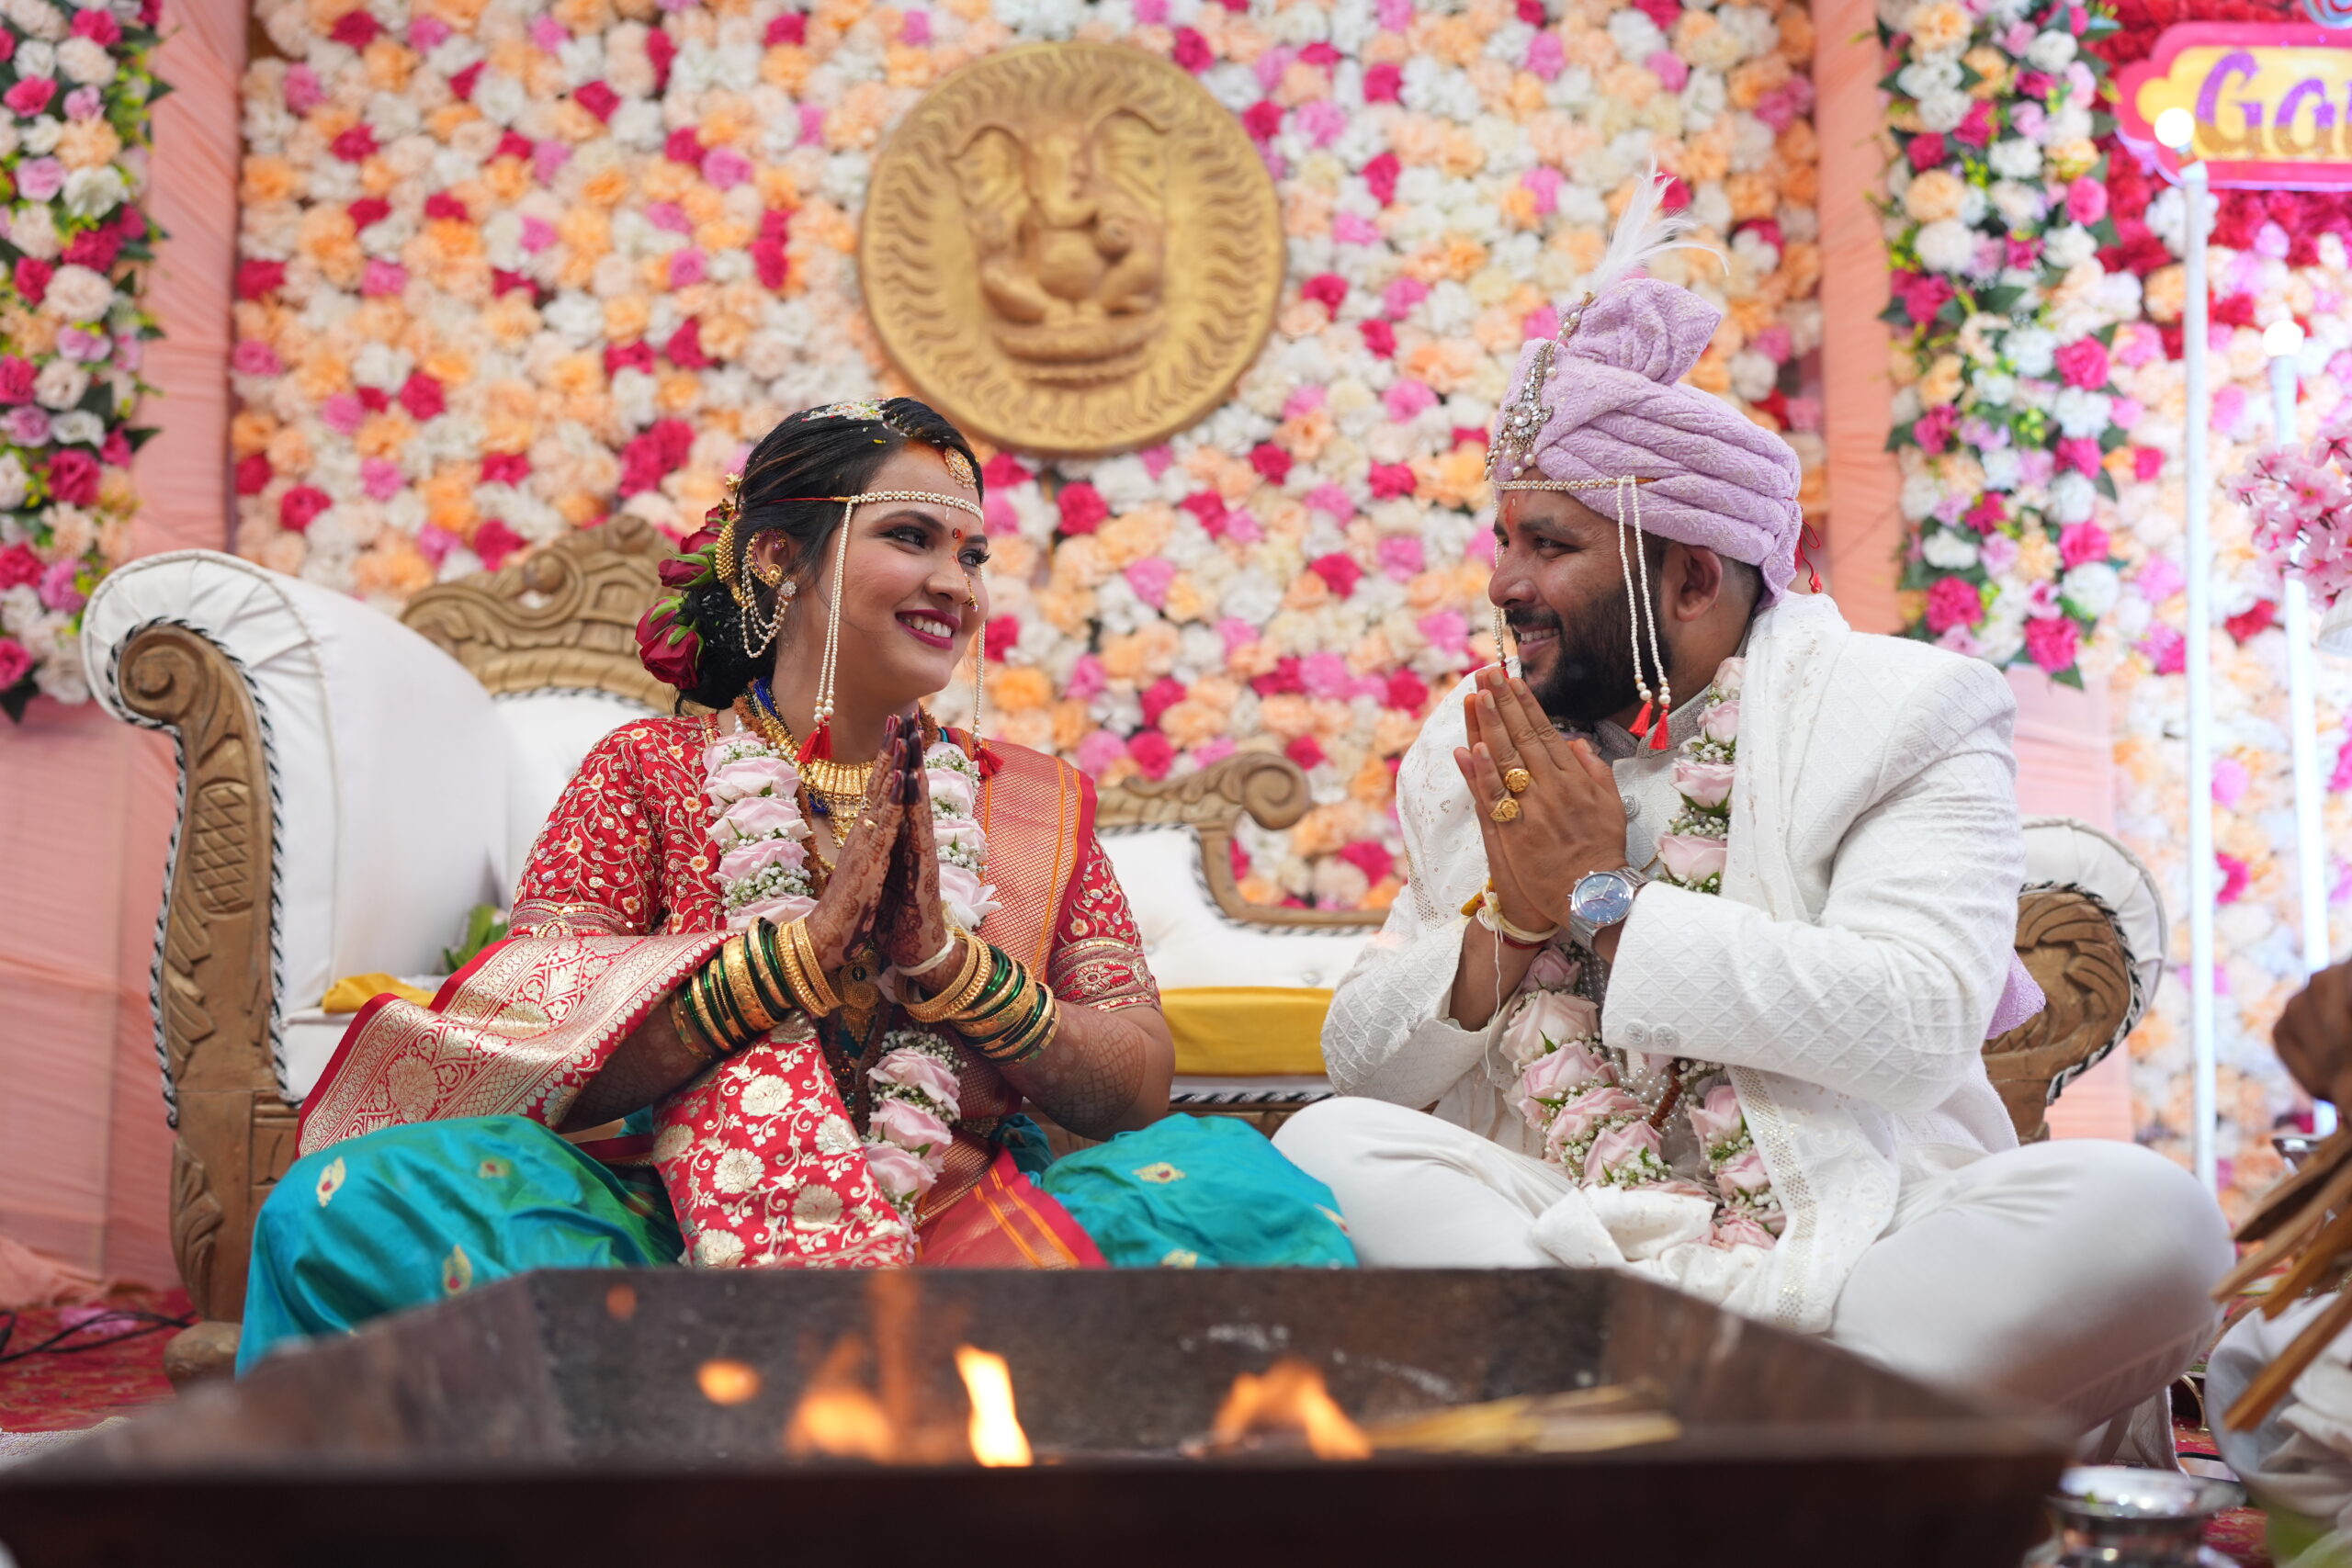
(2273, 102)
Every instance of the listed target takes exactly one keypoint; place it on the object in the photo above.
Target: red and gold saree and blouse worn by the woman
(761, 1155)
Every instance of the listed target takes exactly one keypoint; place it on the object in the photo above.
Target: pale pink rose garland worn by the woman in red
(763, 843)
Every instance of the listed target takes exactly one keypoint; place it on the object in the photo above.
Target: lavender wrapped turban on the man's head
(1612, 406)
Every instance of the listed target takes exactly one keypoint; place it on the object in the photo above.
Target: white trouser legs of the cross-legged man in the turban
(2062, 1275)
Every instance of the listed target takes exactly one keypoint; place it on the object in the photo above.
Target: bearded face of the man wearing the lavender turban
(1561, 579)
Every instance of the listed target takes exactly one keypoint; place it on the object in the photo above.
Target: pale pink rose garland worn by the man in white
(1598, 1108)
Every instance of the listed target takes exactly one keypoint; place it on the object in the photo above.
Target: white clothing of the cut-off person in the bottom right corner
(2299, 1459)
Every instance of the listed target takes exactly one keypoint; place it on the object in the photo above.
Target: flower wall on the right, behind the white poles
(2040, 431)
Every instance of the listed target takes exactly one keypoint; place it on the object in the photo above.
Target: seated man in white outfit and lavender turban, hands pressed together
(1711, 913)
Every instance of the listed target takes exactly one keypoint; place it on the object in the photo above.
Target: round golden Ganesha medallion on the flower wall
(1071, 248)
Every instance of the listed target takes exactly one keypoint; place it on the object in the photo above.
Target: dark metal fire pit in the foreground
(563, 1419)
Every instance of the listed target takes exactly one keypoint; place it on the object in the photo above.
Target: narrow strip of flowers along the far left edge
(74, 248)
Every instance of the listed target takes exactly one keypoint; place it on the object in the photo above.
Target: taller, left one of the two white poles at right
(2200, 669)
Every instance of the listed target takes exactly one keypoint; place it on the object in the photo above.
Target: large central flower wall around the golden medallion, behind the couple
(514, 267)
